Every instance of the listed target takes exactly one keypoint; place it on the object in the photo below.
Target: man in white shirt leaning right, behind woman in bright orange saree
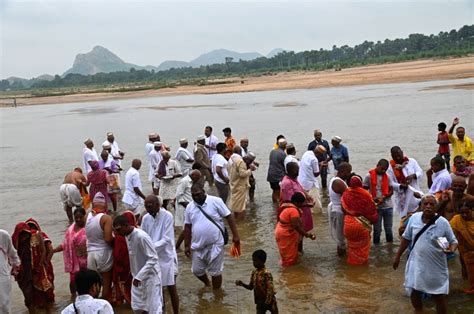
(308, 176)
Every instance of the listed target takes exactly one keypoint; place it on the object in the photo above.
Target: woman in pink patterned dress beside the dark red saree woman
(74, 248)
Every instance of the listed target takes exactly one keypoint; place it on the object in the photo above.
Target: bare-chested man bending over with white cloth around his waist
(70, 191)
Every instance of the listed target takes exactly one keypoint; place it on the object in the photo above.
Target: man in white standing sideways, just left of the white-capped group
(133, 196)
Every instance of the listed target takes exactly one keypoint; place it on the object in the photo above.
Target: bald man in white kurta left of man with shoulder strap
(158, 224)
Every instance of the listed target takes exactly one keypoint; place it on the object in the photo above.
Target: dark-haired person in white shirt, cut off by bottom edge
(88, 284)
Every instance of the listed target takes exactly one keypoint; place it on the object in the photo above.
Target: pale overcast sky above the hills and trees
(38, 37)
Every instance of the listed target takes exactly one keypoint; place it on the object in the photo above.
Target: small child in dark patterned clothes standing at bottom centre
(261, 282)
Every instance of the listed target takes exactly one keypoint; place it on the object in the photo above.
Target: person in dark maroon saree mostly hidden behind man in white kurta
(121, 276)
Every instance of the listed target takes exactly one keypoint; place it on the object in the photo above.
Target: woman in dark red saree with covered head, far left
(33, 278)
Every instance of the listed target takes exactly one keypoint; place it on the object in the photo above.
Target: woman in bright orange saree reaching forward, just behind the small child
(289, 229)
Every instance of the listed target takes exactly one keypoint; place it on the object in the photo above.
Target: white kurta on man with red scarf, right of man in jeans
(403, 200)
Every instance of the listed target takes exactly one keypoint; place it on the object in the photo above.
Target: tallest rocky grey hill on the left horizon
(99, 60)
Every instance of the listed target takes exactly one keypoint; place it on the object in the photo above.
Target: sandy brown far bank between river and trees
(412, 71)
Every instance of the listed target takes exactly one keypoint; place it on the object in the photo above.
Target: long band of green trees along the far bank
(416, 46)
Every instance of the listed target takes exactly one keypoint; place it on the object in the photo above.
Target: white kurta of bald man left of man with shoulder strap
(160, 229)
